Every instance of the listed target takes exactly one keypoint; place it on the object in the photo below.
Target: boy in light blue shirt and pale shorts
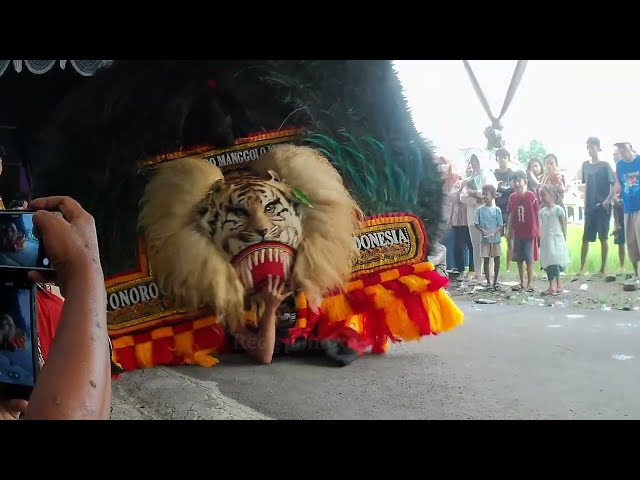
(489, 222)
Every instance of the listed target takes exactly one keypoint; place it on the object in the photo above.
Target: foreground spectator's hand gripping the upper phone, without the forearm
(71, 242)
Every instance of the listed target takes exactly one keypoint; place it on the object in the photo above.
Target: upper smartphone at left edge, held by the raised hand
(20, 249)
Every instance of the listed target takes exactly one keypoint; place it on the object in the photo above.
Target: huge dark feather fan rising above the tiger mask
(93, 146)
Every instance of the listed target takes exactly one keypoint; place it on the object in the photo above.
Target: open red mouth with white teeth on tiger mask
(255, 263)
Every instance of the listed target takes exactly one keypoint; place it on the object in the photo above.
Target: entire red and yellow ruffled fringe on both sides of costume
(400, 304)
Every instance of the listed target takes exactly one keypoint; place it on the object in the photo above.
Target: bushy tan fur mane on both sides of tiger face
(195, 272)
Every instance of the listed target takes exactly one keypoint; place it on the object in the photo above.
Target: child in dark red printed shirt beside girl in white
(522, 227)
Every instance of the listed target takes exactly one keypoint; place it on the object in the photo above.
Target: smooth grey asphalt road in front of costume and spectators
(504, 362)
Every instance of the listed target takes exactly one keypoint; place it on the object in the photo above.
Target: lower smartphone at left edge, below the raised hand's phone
(19, 363)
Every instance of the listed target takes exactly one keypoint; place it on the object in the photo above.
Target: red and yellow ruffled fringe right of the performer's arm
(400, 304)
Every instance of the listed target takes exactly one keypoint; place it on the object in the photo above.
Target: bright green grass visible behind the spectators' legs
(574, 244)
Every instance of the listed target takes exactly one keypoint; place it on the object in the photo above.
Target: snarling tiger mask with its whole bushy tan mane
(210, 238)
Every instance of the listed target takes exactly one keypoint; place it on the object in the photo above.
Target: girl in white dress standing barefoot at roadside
(553, 238)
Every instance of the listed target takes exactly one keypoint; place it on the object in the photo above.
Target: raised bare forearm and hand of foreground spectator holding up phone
(75, 382)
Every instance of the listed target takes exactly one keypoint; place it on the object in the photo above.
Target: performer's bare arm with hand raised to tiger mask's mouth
(260, 345)
